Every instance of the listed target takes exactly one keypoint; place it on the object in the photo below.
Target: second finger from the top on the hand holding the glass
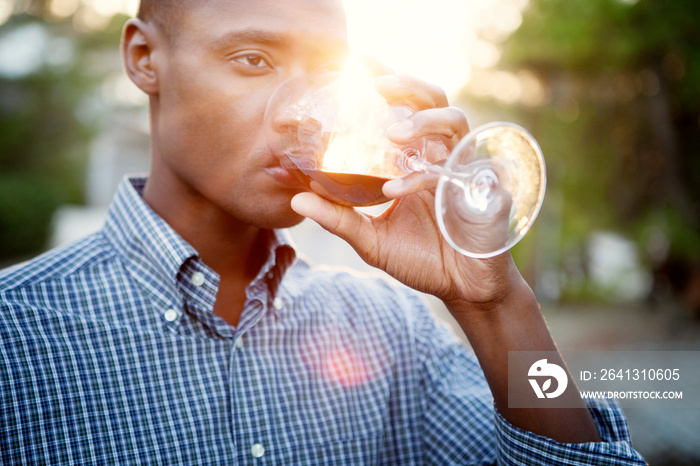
(447, 122)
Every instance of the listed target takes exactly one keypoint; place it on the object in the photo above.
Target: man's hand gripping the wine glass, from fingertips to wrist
(405, 241)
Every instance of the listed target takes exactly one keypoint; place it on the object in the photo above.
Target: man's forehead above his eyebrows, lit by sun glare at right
(319, 22)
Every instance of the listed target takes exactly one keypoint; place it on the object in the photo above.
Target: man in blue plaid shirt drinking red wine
(187, 331)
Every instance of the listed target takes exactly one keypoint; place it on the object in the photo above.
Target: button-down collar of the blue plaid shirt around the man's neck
(165, 264)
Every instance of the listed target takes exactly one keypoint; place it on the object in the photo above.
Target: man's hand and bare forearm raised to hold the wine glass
(488, 297)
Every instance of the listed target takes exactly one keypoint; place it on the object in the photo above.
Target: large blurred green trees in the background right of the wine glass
(621, 125)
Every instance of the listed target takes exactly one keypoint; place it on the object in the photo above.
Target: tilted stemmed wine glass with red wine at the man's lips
(329, 128)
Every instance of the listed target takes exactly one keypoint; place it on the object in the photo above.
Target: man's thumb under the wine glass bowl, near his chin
(343, 221)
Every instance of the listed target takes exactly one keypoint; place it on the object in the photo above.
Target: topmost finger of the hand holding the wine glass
(400, 89)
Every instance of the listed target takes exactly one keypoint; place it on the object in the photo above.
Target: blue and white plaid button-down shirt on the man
(110, 354)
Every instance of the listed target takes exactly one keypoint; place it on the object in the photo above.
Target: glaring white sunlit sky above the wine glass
(438, 40)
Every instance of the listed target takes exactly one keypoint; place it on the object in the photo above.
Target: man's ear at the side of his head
(138, 45)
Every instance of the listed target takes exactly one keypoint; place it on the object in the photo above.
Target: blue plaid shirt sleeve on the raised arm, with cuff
(461, 425)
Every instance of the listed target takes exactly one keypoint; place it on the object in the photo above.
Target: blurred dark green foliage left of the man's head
(49, 115)
